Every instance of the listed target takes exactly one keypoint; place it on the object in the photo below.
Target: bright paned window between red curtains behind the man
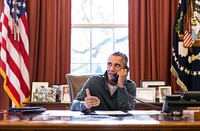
(99, 27)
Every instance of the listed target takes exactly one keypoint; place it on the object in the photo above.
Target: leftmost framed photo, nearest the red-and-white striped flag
(36, 94)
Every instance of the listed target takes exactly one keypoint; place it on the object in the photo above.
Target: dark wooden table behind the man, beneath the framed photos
(64, 106)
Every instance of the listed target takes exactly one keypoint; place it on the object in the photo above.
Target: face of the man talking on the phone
(114, 64)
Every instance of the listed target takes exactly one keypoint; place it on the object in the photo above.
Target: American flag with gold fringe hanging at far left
(14, 51)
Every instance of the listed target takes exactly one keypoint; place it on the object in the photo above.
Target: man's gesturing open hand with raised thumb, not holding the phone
(91, 101)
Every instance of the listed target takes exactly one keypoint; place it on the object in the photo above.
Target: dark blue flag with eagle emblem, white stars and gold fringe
(186, 45)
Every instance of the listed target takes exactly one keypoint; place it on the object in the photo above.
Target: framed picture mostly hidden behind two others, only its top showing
(148, 83)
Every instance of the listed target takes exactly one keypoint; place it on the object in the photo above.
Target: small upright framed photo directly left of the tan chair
(65, 94)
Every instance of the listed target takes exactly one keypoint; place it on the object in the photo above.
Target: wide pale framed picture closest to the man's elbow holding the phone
(145, 94)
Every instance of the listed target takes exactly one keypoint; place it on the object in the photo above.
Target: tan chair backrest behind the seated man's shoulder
(75, 83)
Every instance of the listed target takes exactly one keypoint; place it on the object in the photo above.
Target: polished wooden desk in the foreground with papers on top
(69, 120)
